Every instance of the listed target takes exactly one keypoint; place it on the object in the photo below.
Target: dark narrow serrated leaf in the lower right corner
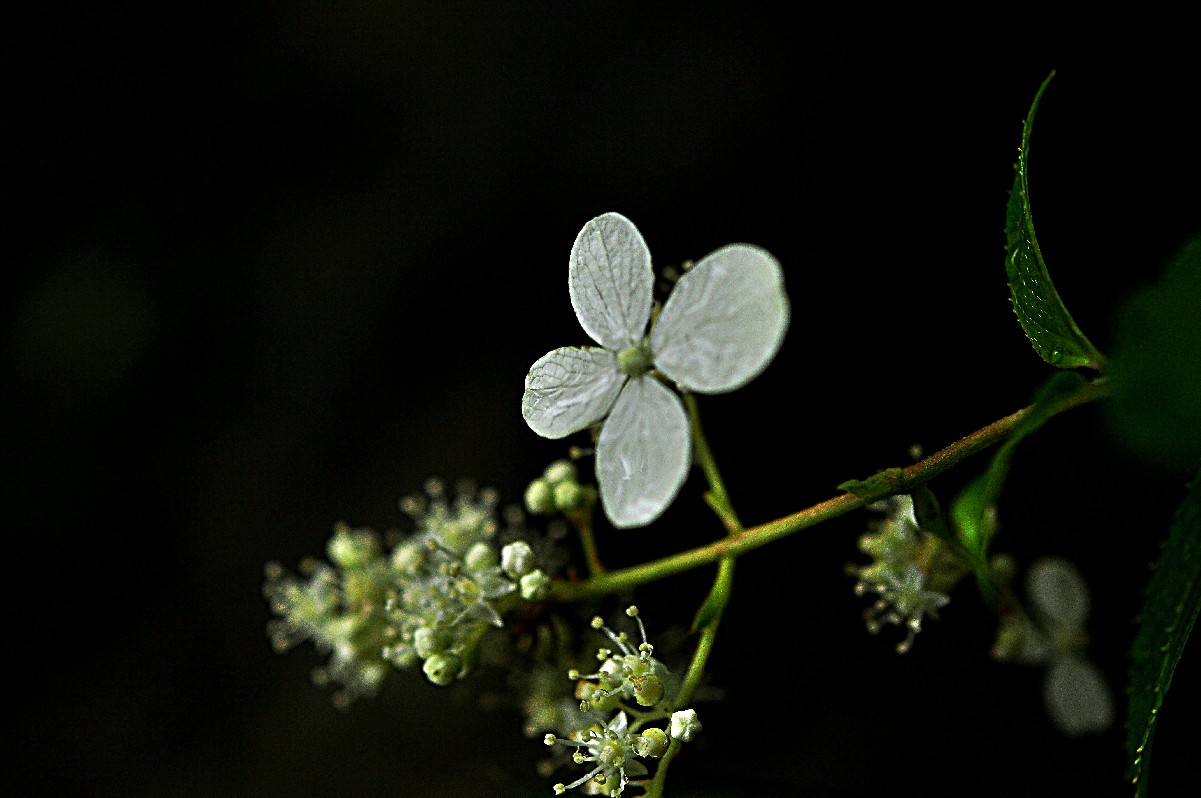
(1169, 612)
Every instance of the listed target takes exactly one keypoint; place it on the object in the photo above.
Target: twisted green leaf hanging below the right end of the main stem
(973, 509)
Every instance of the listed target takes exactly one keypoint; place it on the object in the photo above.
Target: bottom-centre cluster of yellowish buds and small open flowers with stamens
(629, 680)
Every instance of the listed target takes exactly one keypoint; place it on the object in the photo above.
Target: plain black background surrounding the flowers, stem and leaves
(276, 264)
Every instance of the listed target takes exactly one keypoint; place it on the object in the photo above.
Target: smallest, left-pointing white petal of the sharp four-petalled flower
(571, 389)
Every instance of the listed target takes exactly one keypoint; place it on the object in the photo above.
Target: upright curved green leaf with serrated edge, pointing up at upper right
(1043, 315)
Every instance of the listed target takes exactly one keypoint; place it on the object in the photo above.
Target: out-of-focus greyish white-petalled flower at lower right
(1054, 636)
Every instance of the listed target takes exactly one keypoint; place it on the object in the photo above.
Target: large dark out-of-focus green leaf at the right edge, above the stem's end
(1156, 373)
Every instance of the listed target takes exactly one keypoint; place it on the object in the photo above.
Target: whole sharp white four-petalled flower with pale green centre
(719, 330)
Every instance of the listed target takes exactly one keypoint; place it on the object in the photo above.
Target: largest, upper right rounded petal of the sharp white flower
(724, 323)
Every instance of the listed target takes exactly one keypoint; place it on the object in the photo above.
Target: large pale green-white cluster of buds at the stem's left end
(431, 600)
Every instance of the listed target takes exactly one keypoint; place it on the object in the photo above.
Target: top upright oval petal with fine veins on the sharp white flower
(611, 282)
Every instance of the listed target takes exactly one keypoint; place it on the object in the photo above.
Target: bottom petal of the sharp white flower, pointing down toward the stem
(643, 454)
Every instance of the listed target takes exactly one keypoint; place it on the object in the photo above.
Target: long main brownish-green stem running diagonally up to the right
(889, 483)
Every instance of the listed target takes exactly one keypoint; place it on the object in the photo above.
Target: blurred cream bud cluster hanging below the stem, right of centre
(911, 571)
